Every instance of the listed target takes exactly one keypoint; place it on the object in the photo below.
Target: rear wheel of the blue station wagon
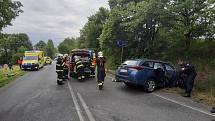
(150, 86)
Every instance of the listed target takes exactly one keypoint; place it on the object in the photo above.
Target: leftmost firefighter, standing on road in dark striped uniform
(59, 70)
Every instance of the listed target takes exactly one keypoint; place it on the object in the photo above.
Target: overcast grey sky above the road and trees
(54, 19)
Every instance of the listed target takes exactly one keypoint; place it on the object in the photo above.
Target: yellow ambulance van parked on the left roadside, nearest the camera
(33, 60)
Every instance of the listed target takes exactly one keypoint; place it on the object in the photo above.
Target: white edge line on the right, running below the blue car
(182, 104)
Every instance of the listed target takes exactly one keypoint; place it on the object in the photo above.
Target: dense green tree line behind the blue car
(153, 28)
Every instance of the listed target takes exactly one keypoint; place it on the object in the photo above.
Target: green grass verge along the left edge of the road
(6, 76)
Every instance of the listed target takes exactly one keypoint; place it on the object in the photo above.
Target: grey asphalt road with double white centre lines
(36, 97)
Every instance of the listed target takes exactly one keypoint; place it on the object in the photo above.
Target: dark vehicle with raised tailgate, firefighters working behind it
(86, 57)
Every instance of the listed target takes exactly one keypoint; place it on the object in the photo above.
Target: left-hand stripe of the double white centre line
(77, 107)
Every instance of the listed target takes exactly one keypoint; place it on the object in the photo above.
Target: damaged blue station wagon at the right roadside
(147, 73)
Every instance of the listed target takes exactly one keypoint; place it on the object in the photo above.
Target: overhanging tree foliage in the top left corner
(9, 10)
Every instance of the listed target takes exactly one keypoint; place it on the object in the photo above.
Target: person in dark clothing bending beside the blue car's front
(189, 70)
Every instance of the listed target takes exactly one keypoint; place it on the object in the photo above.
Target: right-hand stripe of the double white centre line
(86, 108)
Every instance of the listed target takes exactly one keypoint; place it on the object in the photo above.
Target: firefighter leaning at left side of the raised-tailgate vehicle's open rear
(79, 68)
